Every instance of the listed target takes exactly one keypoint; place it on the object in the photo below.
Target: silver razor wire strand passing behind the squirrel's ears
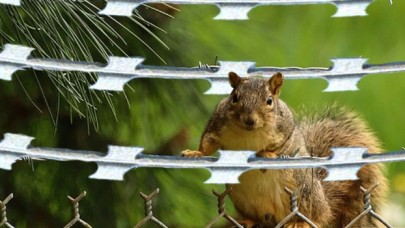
(342, 76)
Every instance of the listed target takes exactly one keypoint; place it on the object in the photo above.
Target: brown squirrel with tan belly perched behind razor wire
(253, 117)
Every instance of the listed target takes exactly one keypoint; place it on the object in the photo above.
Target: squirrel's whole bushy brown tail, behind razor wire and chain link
(337, 126)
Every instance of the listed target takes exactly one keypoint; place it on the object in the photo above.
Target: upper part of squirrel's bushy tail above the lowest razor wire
(336, 126)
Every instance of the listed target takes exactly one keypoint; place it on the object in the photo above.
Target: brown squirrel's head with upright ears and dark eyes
(254, 103)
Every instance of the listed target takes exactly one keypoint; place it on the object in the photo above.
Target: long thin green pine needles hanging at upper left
(74, 31)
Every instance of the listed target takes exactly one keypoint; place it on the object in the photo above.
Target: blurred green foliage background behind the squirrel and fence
(167, 116)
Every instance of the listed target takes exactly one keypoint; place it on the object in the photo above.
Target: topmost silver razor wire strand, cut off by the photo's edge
(230, 9)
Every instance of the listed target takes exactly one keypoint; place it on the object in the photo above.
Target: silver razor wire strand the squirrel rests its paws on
(343, 164)
